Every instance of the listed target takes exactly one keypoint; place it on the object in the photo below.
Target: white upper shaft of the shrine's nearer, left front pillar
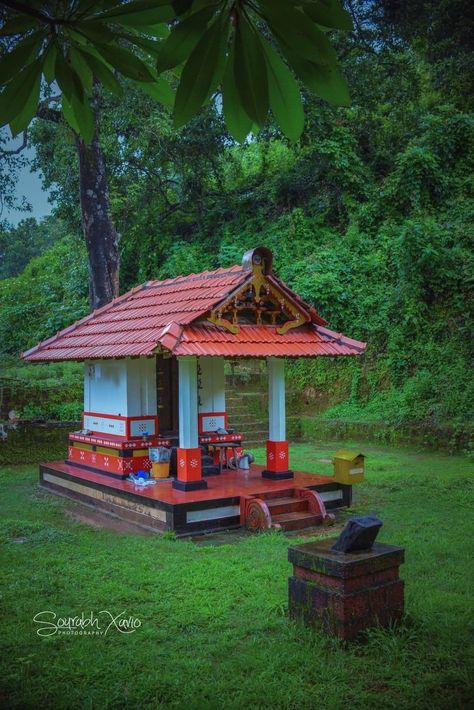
(188, 402)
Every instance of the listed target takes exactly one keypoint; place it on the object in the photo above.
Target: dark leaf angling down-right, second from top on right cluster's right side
(291, 26)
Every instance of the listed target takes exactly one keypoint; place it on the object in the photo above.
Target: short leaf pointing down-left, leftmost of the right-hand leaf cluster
(183, 39)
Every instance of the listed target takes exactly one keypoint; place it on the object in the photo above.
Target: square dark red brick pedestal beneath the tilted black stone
(347, 592)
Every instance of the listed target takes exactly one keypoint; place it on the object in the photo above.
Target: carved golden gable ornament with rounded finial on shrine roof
(261, 300)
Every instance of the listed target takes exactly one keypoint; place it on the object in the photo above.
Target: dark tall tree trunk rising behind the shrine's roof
(102, 239)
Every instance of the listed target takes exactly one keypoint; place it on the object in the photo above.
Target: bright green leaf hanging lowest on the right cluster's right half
(285, 99)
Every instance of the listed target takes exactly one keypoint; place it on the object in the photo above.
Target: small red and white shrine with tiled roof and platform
(154, 377)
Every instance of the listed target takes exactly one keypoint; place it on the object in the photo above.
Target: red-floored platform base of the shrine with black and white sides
(165, 508)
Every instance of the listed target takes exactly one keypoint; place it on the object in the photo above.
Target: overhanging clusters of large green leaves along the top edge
(178, 51)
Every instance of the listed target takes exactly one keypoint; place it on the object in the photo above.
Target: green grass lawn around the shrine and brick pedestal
(214, 631)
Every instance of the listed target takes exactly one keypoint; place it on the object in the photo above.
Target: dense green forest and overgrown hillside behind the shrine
(370, 218)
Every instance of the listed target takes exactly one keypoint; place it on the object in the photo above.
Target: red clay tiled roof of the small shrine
(160, 313)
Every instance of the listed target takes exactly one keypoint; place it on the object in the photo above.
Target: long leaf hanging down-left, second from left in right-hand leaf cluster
(200, 73)
